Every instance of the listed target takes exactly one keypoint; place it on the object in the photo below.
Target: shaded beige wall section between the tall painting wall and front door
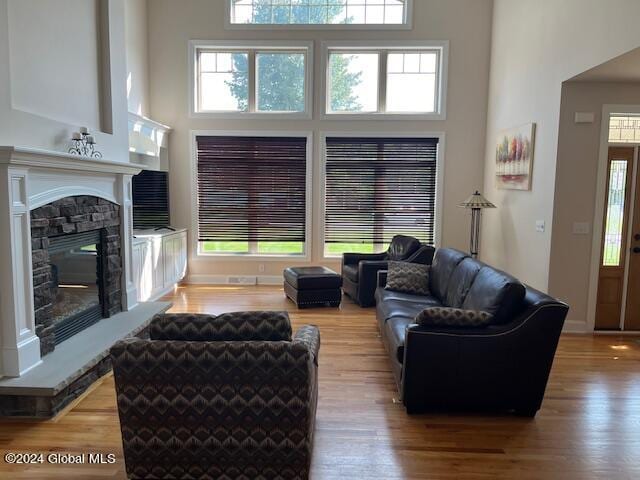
(575, 192)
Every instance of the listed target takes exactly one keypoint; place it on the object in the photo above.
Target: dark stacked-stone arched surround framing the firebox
(69, 215)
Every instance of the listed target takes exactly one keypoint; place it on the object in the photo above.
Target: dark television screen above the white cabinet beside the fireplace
(150, 199)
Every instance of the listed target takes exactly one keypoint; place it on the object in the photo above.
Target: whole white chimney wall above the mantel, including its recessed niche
(61, 67)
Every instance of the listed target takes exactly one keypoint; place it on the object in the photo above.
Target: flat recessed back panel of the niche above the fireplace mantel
(71, 91)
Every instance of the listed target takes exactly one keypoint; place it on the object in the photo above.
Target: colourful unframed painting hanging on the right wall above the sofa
(514, 157)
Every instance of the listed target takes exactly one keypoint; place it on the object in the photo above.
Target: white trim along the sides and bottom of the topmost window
(407, 25)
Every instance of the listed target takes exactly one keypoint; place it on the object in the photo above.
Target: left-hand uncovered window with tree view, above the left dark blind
(244, 81)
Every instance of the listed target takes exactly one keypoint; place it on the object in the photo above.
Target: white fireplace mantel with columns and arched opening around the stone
(30, 178)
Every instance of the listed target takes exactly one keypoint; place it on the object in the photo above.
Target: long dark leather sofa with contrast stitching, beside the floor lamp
(502, 366)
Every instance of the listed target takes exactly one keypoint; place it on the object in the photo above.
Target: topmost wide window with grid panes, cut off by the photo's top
(335, 13)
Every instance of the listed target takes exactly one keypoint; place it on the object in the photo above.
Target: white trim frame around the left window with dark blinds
(195, 244)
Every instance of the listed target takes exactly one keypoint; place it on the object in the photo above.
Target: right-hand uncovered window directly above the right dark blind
(374, 81)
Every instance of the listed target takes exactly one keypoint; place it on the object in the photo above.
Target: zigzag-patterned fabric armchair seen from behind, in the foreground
(218, 397)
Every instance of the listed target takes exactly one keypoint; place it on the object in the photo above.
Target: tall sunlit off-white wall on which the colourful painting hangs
(536, 45)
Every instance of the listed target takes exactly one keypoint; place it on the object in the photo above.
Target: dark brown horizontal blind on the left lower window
(251, 188)
